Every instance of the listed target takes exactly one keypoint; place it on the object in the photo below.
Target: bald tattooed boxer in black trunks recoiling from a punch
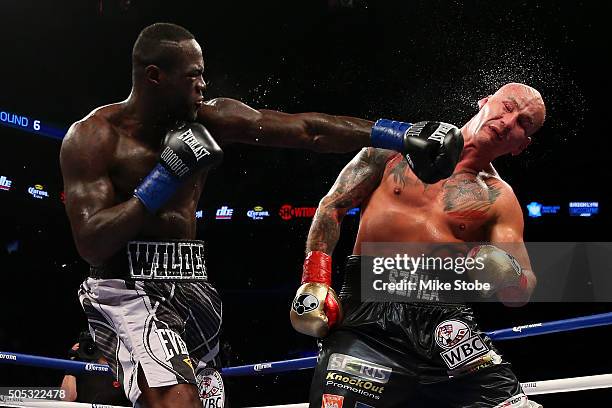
(390, 354)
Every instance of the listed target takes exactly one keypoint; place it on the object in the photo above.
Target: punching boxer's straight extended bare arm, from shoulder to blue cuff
(231, 121)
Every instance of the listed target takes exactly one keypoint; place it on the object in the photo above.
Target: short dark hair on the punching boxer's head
(157, 45)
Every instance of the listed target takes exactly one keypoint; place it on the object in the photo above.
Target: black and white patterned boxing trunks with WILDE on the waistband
(152, 307)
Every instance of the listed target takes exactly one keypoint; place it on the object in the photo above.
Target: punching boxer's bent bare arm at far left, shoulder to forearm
(100, 226)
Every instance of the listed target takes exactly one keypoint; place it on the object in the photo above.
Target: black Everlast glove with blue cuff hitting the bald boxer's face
(432, 149)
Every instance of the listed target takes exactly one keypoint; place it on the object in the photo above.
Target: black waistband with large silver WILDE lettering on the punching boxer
(174, 260)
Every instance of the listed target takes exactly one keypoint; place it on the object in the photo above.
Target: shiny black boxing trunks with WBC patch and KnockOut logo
(392, 354)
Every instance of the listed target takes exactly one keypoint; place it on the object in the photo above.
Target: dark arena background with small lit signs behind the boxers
(406, 60)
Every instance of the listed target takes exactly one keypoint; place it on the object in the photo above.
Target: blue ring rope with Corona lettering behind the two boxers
(511, 333)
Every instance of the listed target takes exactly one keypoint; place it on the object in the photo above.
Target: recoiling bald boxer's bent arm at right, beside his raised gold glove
(506, 232)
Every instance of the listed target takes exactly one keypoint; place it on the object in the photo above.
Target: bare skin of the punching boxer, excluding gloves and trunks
(108, 153)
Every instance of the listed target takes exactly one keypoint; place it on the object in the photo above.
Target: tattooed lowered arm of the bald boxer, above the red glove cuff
(354, 184)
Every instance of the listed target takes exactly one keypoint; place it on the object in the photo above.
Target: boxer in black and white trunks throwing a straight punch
(133, 174)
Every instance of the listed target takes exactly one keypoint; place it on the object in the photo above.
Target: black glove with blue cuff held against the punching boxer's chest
(184, 151)
